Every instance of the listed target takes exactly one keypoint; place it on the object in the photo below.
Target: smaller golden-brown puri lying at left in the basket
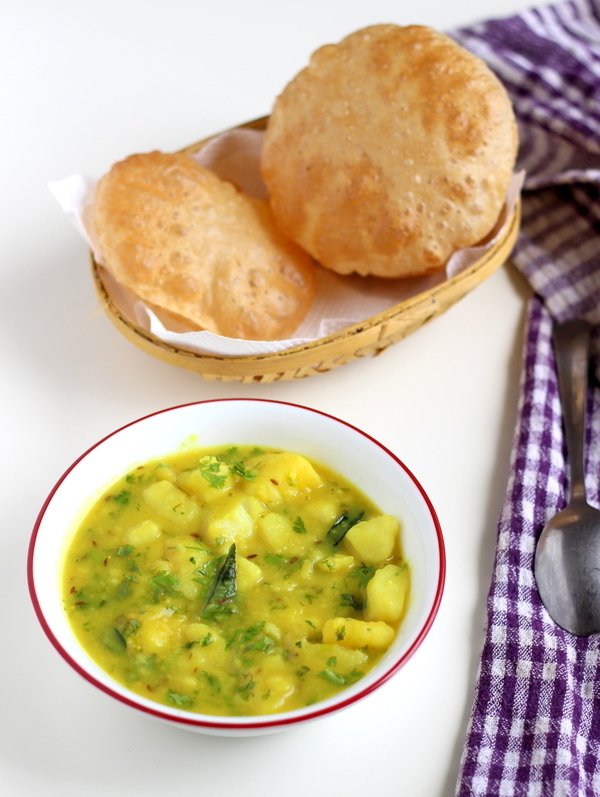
(194, 246)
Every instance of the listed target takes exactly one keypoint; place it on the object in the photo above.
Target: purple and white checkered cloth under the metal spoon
(535, 722)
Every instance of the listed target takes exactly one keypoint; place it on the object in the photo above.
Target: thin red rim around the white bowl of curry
(278, 720)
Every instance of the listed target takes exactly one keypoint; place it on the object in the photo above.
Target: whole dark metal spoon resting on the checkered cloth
(567, 557)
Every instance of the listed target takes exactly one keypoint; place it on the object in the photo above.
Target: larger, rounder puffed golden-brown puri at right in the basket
(389, 152)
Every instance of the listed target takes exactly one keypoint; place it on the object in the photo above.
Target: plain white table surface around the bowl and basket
(82, 84)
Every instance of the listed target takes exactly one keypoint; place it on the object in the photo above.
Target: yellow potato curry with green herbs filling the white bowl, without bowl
(236, 581)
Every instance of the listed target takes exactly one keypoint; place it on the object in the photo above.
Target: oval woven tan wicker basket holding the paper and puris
(364, 339)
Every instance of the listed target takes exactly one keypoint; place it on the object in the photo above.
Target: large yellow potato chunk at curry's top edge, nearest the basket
(282, 476)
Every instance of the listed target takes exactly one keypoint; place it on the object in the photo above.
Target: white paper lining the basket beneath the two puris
(340, 300)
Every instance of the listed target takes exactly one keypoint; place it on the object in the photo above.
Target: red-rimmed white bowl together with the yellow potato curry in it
(237, 566)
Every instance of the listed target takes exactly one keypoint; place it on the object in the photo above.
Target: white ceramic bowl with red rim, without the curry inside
(360, 458)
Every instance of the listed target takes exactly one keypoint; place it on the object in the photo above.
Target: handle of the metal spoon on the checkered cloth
(571, 349)
